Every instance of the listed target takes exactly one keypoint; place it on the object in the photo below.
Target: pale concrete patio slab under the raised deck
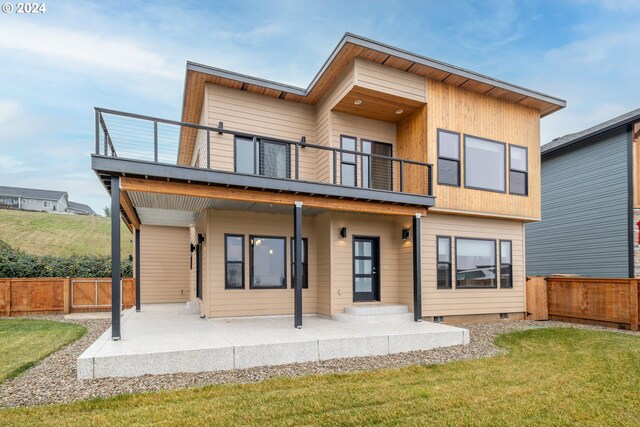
(158, 340)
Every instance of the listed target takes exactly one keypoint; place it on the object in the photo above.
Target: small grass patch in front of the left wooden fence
(23, 342)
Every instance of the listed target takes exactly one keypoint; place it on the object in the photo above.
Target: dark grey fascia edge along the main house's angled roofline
(380, 47)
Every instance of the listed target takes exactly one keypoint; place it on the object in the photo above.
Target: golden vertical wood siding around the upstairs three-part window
(459, 110)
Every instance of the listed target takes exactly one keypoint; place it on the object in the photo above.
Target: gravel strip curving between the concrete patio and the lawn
(53, 380)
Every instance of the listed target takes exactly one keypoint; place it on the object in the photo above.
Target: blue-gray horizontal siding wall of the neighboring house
(584, 227)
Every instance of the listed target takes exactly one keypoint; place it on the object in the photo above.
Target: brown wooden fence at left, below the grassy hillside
(21, 297)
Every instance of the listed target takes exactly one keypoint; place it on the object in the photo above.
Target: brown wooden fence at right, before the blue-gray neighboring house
(584, 300)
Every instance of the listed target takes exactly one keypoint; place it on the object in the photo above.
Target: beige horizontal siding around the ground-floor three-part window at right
(445, 302)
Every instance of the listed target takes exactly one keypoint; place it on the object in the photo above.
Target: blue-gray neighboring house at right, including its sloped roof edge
(590, 203)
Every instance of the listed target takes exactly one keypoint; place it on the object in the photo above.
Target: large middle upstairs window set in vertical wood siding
(484, 166)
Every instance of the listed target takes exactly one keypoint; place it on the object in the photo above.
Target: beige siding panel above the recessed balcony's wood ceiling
(390, 80)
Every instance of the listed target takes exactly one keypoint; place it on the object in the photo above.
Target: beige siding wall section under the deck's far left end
(164, 264)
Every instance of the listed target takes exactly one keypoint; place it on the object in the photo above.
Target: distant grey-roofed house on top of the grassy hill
(31, 199)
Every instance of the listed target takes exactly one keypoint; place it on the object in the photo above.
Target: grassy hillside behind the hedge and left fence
(42, 233)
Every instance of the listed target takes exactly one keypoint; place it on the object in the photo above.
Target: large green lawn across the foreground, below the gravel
(549, 377)
